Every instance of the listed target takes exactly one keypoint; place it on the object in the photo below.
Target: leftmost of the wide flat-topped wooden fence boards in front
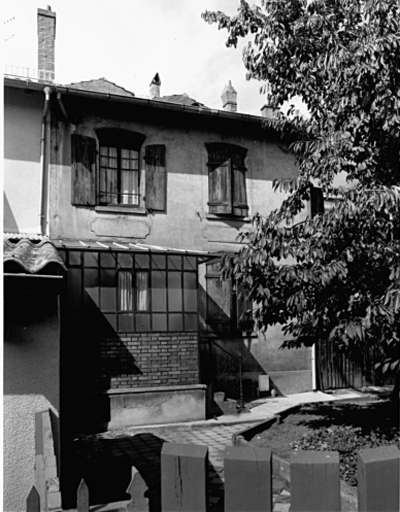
(184, 478)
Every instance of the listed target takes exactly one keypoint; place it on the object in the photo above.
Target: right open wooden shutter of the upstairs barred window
(156, 177)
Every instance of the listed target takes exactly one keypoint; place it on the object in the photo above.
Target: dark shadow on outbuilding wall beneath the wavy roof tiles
(31, 337)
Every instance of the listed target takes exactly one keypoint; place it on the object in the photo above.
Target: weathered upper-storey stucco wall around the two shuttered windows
(186, 222)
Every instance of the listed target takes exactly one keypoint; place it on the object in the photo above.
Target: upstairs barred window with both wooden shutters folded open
(108, 171)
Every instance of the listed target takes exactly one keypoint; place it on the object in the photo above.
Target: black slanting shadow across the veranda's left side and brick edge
(92, 354)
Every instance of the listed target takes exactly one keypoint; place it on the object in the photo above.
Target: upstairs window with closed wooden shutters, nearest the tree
(227, 179)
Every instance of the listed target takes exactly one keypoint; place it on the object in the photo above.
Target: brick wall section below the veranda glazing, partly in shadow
(148, 360)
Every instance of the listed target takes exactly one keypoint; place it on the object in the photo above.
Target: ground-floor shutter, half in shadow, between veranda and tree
(219, 300)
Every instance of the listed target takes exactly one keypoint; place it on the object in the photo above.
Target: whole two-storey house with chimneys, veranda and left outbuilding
(116, 211)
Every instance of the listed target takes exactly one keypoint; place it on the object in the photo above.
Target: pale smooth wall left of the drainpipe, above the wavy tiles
(22, 132)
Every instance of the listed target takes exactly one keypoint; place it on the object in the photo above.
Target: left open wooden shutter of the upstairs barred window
(83, 172)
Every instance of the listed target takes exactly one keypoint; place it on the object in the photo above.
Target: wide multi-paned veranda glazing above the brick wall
(133, 292)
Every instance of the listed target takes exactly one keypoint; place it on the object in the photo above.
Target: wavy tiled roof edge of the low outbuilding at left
(32, 257)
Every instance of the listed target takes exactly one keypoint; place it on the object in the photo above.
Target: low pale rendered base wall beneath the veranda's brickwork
(151, 406)
